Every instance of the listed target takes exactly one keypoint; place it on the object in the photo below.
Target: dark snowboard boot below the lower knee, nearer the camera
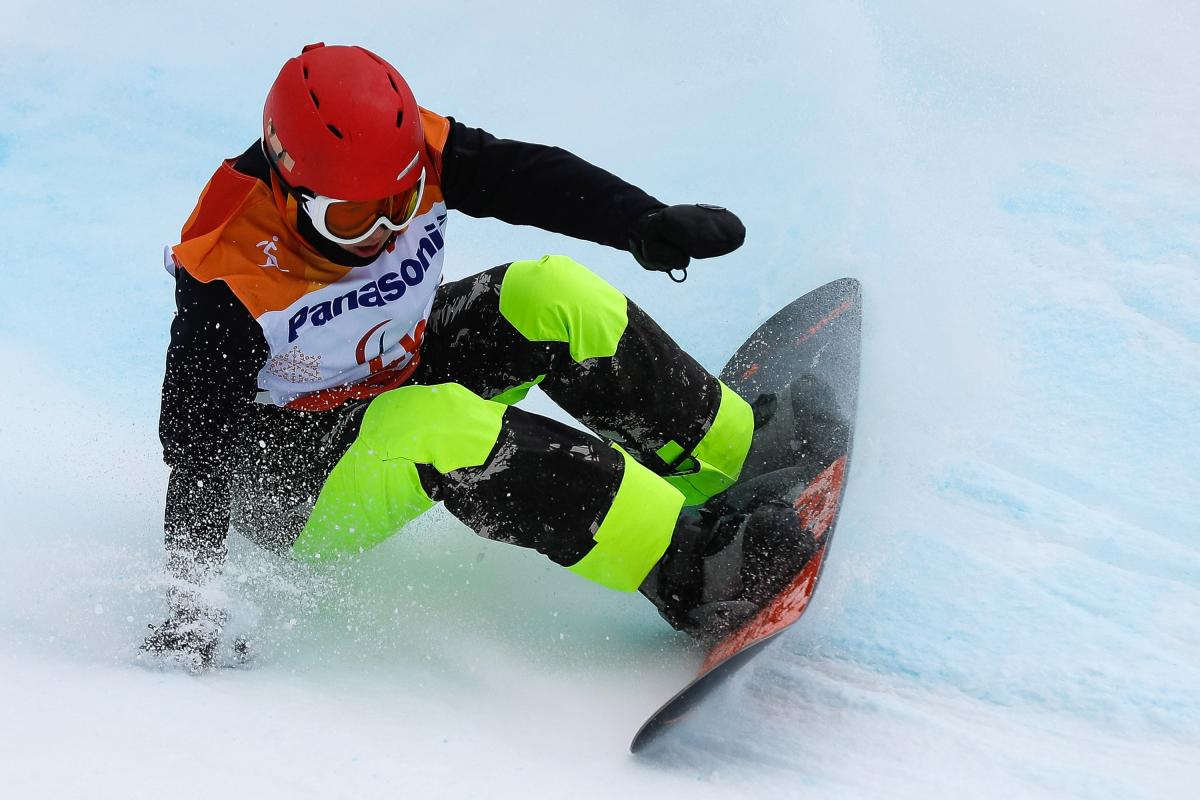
(721, 570)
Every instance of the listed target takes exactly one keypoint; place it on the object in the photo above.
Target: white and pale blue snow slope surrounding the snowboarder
(1011, 607)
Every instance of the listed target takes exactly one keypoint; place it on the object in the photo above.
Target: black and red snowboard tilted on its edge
(818, 336)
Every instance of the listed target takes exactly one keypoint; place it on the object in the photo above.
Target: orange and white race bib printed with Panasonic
(334, 333)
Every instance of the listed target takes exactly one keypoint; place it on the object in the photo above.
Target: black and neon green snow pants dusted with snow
(605, 507)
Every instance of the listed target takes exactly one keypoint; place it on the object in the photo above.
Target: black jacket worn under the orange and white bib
(218, 348)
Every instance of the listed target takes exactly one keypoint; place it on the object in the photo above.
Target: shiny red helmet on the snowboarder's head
(341, 122)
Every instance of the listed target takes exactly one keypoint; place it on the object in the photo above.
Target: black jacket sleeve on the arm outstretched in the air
(536, 185)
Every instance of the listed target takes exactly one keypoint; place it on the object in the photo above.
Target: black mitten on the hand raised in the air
(668, 239)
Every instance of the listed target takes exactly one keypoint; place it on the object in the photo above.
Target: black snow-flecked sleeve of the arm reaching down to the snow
(217, 351)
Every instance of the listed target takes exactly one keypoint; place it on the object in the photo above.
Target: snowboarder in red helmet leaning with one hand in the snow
(325, 387)
